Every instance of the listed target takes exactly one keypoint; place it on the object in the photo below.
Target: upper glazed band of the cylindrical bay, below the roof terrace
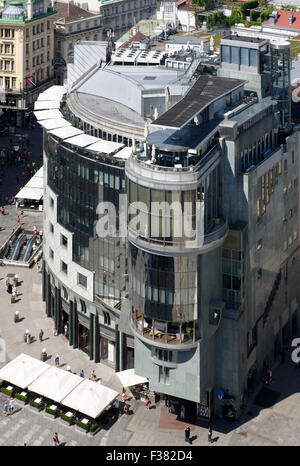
(170, 217)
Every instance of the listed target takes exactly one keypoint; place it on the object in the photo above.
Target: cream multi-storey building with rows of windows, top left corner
(26, 54)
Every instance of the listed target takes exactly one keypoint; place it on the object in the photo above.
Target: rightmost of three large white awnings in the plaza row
(90, 398)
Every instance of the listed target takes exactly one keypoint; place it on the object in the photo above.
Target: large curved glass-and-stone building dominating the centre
(196, 291)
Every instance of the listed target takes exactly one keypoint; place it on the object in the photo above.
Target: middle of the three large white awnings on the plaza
(55, 384)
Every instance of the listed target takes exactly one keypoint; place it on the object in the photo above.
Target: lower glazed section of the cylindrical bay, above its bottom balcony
(164, 293)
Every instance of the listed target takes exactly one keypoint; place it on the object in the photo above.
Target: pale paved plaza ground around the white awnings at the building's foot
(274, 425)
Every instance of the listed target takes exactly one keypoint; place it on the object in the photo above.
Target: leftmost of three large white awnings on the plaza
(23, 370)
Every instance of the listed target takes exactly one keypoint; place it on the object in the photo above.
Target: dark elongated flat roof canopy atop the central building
(204, 91)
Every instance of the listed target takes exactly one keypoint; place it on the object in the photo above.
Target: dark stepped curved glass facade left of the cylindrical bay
(81, 183)
